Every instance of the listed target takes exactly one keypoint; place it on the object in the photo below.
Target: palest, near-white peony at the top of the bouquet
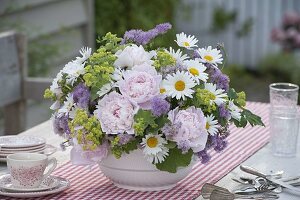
(133, 55)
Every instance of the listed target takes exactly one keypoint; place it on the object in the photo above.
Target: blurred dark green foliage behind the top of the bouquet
(134, 14)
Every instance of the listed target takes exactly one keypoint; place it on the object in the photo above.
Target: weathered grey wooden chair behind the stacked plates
(15, 86)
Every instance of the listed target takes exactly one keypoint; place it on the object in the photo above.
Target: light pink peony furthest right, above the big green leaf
(191, 128)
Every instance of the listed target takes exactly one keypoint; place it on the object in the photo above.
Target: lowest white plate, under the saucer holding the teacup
(63, 184)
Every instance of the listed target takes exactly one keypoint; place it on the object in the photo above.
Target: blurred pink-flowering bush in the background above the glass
(284, 66)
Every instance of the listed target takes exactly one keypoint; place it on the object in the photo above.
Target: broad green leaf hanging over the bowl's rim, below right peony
(175, 159)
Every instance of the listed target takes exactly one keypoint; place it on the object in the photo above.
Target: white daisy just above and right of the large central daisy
(196, 69)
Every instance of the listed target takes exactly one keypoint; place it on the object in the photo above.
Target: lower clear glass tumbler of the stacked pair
(284, 133)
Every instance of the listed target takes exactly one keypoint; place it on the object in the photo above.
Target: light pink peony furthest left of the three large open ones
(115, 113)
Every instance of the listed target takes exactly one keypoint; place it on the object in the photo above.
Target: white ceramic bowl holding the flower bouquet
(132, 171)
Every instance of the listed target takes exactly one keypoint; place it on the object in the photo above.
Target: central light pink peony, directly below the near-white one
(141, 84)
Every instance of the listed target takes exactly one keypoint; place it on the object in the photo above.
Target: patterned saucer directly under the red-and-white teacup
(49, 183)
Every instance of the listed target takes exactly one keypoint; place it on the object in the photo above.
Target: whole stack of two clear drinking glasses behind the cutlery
(284, 118)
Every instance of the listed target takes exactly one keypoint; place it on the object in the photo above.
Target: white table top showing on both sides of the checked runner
(262, 160)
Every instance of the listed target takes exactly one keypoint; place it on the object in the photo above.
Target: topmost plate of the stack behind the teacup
(18, 141)
